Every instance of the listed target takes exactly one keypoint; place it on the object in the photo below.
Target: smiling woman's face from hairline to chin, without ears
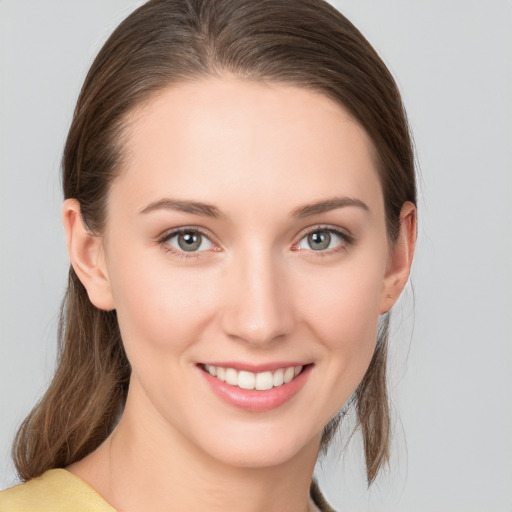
(245, 235)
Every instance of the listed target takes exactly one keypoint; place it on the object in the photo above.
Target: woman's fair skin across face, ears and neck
(255, 292)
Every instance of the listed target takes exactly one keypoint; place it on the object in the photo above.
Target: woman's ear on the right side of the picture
(400, 259)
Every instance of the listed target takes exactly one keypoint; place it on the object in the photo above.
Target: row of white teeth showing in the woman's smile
(261, 381)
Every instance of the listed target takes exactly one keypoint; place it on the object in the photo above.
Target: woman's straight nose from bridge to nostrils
(258, 303)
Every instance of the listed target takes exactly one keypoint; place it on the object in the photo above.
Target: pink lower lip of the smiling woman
(253, 400)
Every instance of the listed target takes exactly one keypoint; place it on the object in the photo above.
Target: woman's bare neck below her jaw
(153, 467)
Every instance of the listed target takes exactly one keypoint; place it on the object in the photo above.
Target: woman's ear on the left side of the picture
(87, 256)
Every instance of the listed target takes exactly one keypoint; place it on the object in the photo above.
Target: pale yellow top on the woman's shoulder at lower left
(57, 490)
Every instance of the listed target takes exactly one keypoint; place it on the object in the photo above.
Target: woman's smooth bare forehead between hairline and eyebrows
(227, 138)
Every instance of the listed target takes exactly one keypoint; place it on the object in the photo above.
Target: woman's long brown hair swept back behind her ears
(307, 43)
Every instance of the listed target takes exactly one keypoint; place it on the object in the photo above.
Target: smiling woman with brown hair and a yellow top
(240, 215)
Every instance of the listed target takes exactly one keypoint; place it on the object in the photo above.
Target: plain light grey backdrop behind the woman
(451, 355)
